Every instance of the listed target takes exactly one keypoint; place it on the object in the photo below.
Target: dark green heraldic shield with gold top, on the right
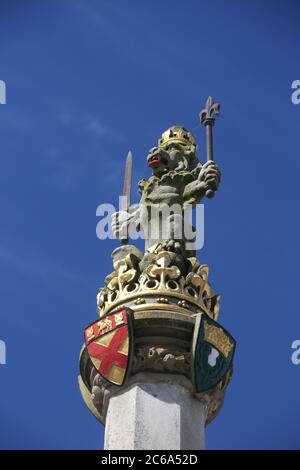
(212, 352)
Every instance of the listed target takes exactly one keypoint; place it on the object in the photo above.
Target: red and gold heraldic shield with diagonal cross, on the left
(108, 342)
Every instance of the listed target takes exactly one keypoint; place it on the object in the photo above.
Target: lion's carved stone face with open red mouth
(170, 157)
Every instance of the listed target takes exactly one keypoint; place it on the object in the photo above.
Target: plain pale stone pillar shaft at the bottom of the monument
(160, 414)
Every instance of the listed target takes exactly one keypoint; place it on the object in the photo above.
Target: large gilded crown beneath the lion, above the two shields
(160, 283)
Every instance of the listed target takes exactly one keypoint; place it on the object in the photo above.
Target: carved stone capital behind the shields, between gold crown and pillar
(162, 351)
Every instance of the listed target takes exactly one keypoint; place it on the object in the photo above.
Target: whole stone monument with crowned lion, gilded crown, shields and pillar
(156, 363)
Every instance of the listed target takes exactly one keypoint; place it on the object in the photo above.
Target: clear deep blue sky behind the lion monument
(87, 80)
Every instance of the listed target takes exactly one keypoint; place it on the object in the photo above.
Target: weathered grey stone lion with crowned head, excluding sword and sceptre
(179, 180)
